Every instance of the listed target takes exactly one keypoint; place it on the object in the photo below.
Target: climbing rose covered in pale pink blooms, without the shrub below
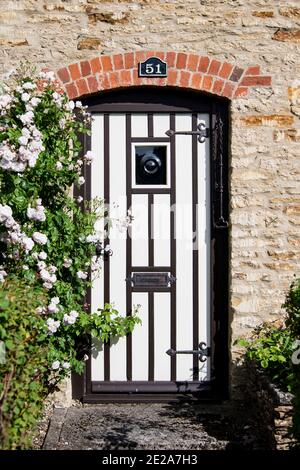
(47, 239)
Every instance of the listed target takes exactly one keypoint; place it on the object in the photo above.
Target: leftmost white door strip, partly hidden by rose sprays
(97, 190)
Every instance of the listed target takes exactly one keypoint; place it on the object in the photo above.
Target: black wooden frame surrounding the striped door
(168, 100)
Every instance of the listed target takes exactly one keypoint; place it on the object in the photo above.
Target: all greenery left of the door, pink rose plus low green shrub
(48, 254)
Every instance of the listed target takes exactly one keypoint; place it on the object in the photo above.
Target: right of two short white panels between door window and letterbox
(161, 229)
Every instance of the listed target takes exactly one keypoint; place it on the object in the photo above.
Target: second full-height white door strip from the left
(118, 208)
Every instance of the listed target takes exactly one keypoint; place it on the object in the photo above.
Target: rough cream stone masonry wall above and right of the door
(265, 125)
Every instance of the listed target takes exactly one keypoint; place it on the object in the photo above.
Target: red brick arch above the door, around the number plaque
(192, 71)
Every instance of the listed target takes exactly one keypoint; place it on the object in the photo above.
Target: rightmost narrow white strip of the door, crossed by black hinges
(203, 237)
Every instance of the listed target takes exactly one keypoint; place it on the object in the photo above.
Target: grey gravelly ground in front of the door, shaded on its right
(154, 427)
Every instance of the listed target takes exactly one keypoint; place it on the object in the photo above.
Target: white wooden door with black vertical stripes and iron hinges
(162, 263)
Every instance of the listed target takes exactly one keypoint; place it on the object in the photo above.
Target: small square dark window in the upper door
(150, 164)
